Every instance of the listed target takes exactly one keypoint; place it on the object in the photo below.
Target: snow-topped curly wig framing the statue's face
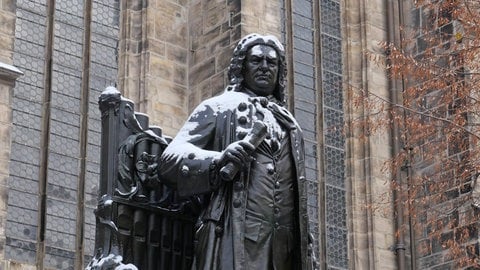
(236, 68)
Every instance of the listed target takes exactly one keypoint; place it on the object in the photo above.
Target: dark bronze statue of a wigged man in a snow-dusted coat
(257, 219)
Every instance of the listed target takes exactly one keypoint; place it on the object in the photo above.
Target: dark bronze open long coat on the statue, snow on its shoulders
(189, 164)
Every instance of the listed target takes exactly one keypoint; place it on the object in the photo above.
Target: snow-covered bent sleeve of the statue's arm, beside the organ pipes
(188, 163)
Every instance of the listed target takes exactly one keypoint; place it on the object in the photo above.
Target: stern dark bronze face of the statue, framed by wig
(261, 70)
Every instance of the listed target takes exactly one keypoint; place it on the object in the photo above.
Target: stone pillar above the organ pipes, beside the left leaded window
(154, 51)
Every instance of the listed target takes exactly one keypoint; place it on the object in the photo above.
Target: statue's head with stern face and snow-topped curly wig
(258, 63)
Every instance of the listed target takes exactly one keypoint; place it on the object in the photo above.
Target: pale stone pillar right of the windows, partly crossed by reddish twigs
(371, 227)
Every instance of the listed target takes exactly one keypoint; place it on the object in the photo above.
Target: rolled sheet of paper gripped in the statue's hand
(255, 137)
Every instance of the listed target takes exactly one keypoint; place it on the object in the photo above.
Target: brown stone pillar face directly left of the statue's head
(214, 32)
